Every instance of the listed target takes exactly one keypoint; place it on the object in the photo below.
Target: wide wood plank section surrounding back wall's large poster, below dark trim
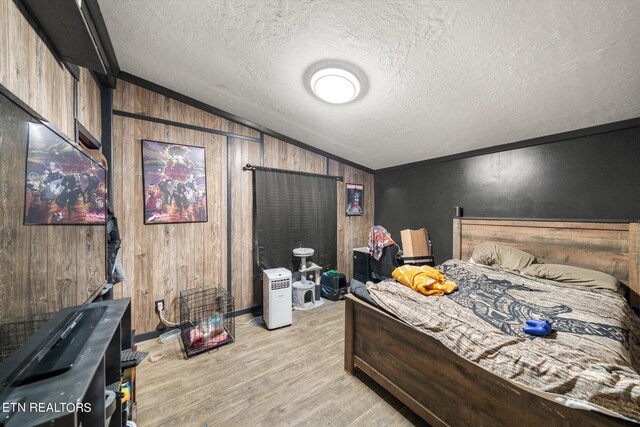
(162, 260)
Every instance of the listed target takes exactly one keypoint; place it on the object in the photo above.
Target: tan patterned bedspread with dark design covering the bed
(591, 361)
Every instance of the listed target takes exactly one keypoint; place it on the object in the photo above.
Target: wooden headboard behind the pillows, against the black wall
(610, 247)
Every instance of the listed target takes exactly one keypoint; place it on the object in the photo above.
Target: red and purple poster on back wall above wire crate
(174, 182)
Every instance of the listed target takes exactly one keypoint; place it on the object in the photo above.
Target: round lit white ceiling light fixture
(334, 84)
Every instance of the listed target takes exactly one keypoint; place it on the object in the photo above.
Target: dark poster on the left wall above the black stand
(63, 184)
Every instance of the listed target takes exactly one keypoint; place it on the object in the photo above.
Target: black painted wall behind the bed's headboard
(593, 176)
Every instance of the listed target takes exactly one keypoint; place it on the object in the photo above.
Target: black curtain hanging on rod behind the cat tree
(294, 210)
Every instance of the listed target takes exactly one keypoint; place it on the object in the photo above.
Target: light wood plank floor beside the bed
(288, 376)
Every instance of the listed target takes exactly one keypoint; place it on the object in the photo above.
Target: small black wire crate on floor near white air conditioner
(206, 319)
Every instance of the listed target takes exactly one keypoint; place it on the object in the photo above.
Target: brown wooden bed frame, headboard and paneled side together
(445, 389)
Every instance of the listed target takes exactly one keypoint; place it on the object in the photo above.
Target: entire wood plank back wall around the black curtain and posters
(176, 248)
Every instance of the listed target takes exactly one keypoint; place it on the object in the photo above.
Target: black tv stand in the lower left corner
(67, 387)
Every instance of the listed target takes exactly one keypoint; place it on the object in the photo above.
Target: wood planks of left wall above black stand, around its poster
(42, 268)
